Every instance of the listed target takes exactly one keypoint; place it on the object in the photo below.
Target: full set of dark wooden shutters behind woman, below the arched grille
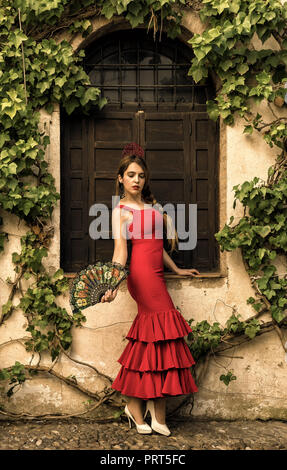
(181, 152)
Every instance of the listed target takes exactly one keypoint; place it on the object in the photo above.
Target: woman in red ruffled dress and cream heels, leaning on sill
(156, 361)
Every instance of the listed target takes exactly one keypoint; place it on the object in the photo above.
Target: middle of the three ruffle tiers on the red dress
(156, 356)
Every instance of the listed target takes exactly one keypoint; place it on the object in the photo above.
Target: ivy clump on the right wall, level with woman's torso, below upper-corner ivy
(261, 235)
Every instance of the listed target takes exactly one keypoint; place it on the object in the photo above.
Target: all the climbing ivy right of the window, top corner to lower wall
(248, 76)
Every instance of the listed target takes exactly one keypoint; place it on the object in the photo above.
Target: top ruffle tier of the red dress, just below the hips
(158, 326)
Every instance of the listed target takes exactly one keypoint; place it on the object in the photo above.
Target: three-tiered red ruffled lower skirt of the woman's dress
(156, 361)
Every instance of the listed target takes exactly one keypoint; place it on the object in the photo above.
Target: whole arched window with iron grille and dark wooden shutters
(152, 101)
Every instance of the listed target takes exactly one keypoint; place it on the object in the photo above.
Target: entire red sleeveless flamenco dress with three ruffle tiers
(156, 361)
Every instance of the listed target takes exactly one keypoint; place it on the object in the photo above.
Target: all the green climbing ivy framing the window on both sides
(37, 72)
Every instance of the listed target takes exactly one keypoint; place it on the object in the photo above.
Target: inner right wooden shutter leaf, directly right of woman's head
(165, 139)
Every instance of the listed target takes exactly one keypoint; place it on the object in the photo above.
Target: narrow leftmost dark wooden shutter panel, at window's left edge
(74, 193)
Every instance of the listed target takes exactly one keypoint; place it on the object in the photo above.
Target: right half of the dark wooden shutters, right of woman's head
(180, 149)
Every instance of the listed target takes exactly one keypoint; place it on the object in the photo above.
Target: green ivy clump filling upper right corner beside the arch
(225, 45)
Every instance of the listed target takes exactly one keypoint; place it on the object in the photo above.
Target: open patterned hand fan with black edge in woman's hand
(92, 283)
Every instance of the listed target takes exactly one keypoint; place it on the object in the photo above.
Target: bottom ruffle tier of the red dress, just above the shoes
(147, 385)
